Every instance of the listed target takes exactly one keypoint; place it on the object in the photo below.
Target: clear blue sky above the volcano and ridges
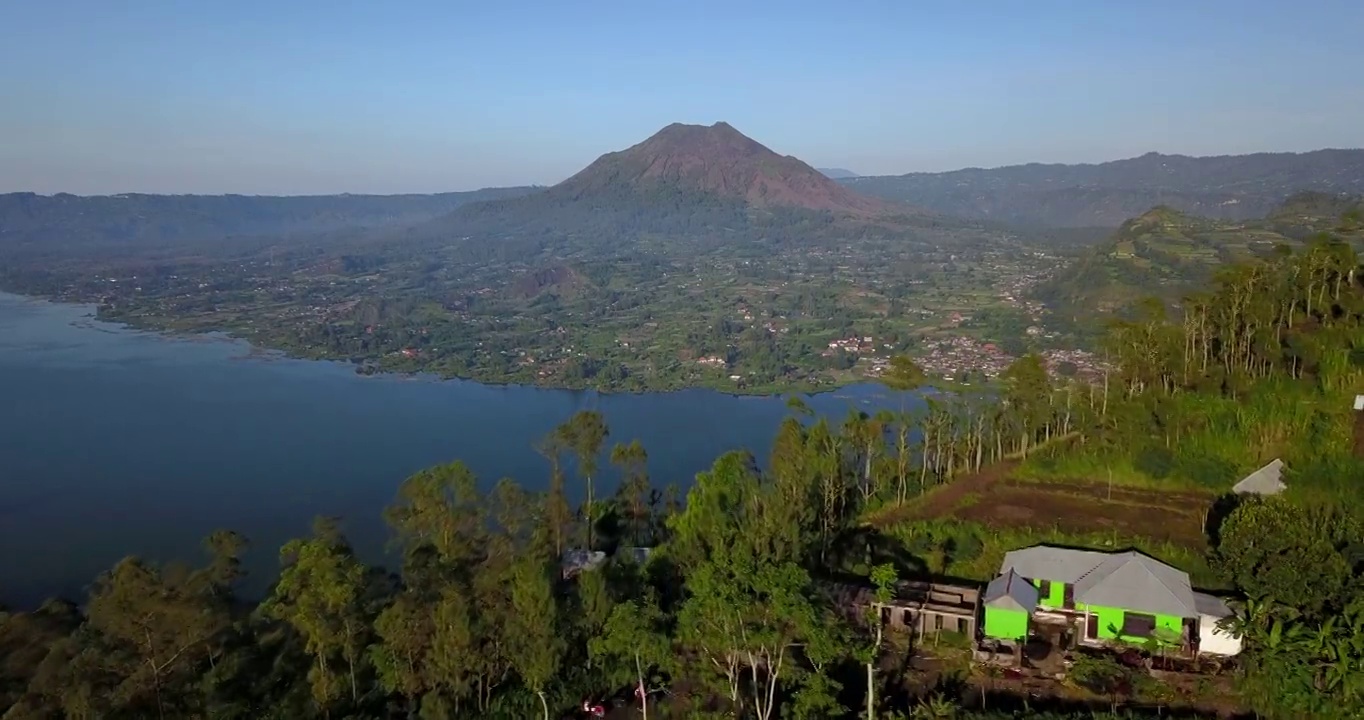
(312, 96)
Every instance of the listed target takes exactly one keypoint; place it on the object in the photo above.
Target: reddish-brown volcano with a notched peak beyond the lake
(702, 186)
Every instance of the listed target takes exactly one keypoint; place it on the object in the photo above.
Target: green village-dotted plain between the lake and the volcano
(717, 321)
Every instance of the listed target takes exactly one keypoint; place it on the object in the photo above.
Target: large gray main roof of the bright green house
(1127, 580)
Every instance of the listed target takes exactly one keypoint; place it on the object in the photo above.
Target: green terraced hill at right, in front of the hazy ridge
(1170, 254)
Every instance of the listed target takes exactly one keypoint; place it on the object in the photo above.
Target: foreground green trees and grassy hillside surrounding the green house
(494, 613)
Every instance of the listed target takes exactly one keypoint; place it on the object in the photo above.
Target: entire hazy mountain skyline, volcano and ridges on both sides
(706, 185)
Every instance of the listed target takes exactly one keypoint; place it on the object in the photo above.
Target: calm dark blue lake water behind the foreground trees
(118, 442)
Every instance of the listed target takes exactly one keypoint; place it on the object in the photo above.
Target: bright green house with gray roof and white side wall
(1099, 599)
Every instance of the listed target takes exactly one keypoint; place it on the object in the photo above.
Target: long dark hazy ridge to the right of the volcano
(1228, 187)
